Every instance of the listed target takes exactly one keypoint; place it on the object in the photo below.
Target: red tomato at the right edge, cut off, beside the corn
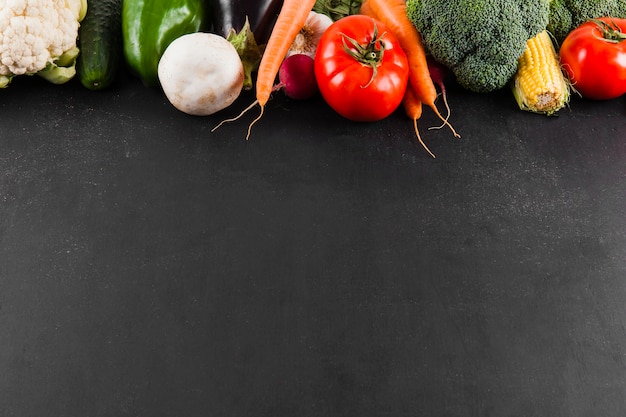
(594, 57)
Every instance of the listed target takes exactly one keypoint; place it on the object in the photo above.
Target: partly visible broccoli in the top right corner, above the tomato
(566, 15)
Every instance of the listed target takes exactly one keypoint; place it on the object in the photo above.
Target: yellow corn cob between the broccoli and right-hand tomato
(539, 84)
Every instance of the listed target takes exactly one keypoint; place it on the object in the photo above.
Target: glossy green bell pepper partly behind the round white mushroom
(148, 27)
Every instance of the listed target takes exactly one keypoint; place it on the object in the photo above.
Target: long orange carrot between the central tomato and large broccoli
(393, 14)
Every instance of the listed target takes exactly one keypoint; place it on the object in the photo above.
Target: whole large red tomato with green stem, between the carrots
(360, 68)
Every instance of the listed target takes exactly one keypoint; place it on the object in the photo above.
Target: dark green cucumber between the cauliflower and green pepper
(100, 44)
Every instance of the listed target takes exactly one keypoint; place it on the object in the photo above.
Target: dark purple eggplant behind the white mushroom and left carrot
(231, 14)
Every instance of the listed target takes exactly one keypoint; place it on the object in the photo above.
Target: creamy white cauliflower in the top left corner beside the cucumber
(39, 37)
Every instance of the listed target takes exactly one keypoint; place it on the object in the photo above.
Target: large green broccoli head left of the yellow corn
(480, 41)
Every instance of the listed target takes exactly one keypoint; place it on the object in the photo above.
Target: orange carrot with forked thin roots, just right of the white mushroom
(289, 22)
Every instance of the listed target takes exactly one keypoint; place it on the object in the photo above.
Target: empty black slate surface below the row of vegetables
(151, 267)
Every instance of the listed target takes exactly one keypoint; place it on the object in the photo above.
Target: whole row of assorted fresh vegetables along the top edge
(365, 58)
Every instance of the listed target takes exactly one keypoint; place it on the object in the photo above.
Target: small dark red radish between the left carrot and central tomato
(297, 77)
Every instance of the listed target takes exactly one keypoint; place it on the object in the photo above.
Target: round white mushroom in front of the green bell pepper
(201, 73)
